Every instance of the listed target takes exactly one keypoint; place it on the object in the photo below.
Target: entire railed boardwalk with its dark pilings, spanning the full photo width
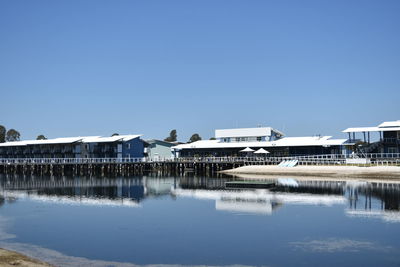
(131, 166)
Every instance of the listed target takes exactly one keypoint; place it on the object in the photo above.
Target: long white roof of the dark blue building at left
(70, 140)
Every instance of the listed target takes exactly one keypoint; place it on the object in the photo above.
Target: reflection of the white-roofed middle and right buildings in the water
(361, 196)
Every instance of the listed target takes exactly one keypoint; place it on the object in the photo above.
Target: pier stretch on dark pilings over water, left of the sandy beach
(115, 166)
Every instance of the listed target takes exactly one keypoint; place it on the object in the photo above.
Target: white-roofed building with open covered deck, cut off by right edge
(388, 140)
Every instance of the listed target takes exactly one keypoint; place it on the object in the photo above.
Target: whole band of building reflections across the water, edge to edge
(372, 199)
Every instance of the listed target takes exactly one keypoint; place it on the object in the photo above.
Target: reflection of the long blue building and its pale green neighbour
(133, 189)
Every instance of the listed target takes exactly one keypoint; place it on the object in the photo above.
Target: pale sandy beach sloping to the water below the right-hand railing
(388, 172)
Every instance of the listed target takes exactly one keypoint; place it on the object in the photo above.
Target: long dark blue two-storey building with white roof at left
(119, 146)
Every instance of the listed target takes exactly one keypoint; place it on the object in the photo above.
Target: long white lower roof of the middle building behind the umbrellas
(283, 142)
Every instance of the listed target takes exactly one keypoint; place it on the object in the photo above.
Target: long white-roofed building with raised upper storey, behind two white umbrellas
(230, 142)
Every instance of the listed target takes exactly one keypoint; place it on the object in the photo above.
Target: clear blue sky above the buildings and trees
(95, 67)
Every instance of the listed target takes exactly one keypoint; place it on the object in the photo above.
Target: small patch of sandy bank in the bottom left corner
(12, 259)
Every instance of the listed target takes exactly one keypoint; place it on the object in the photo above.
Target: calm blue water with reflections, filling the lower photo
(71, 221)
